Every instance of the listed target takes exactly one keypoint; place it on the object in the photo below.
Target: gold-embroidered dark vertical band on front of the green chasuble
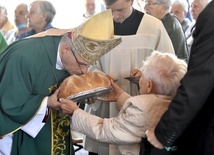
(61, 133)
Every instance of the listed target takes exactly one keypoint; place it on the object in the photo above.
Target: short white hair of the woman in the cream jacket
(165, 70)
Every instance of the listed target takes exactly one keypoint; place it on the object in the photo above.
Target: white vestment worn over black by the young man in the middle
(118, 63)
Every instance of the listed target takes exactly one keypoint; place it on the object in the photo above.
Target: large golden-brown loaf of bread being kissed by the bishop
(78, 83)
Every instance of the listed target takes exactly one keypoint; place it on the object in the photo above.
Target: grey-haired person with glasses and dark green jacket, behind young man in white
(161, 10)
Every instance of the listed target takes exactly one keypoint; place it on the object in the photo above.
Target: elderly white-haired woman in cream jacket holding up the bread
(161, 75)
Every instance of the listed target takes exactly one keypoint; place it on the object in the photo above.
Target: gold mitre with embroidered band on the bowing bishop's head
(95, 37)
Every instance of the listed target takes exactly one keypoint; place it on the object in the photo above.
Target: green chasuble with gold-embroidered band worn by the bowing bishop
(27, 75)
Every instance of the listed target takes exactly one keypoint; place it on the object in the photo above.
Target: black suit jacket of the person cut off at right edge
(189, 119)
